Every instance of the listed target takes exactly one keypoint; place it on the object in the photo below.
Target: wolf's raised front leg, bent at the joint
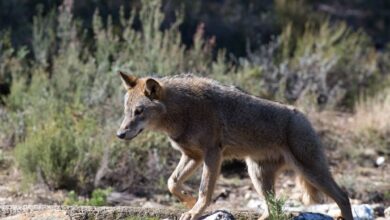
(182, 172)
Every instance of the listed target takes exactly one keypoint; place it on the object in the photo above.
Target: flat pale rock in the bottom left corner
(40, 215)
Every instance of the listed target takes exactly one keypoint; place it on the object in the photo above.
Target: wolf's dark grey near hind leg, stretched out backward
(309, 159)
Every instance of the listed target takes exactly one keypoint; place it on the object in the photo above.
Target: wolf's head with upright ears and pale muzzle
(143, 106)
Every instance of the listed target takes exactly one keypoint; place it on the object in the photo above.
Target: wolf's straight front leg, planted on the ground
(211, 168)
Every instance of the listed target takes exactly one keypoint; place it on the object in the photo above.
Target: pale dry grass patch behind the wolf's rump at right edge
(362, 135)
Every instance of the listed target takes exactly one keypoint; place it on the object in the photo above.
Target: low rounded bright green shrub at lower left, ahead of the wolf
(64, 151)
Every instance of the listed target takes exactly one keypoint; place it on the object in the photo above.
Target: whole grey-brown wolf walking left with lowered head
(209, 122)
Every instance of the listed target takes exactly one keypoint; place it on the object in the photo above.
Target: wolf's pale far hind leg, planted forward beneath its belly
(263, 178)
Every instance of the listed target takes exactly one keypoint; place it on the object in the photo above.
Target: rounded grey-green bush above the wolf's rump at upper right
(328, 65)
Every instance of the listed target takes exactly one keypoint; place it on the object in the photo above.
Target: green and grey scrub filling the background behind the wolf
(65, 98)
